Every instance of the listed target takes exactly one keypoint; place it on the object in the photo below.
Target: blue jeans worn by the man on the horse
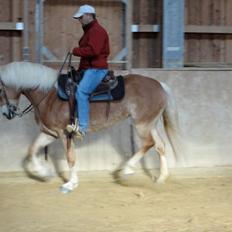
(91, 79)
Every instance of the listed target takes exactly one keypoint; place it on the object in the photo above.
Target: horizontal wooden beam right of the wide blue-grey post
(208, 29)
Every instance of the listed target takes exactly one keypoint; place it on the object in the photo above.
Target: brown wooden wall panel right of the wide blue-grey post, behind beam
(206, 48)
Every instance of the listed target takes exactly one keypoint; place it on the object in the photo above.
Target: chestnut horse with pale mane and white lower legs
(146, 101)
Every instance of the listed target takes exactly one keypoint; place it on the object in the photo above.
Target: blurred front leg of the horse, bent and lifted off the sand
(41, 141)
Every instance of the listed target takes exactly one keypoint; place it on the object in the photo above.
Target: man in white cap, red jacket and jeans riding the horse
(93, 50)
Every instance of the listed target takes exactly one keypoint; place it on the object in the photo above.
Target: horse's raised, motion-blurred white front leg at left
(33, 165)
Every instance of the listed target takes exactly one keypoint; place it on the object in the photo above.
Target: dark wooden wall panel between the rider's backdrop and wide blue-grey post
(147, 48)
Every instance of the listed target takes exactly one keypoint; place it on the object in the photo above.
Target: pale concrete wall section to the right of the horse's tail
(204, 102)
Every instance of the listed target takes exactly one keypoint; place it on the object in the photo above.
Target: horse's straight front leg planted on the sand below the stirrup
(71, 158)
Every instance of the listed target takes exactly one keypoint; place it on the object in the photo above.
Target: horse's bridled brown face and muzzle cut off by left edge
(9, 98)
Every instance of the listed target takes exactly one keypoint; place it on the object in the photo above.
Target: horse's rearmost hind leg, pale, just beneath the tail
(160, 148)
